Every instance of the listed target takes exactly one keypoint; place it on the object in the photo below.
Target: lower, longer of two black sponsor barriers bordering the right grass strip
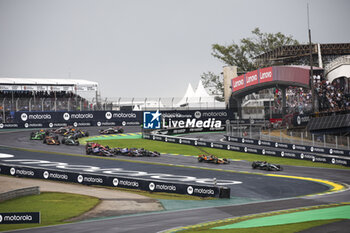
(277, 152)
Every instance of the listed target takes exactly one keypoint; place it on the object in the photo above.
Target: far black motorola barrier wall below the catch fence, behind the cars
(49, 119)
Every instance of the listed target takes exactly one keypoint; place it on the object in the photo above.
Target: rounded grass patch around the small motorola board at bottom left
(54, 207)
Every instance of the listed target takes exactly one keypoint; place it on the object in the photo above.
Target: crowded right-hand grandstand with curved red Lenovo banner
(288, 93)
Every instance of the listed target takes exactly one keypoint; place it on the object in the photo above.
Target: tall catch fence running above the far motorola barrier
(9, 105)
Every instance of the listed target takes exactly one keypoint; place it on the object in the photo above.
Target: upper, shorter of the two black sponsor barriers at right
(294, 147)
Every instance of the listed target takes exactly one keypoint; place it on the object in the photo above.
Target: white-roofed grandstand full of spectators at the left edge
(18, 94)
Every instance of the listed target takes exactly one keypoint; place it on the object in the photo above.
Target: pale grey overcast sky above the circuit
(147, 48)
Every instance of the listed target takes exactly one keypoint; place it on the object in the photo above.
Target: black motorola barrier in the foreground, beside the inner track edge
(114, 181)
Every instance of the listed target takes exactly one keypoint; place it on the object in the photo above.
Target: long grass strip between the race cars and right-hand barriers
(173, 148)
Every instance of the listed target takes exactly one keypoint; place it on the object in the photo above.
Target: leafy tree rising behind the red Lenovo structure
(242, 55)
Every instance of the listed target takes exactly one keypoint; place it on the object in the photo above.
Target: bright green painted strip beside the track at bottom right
(341, 212)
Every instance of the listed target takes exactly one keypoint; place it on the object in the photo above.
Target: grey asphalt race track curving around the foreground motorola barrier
(272, 193)
